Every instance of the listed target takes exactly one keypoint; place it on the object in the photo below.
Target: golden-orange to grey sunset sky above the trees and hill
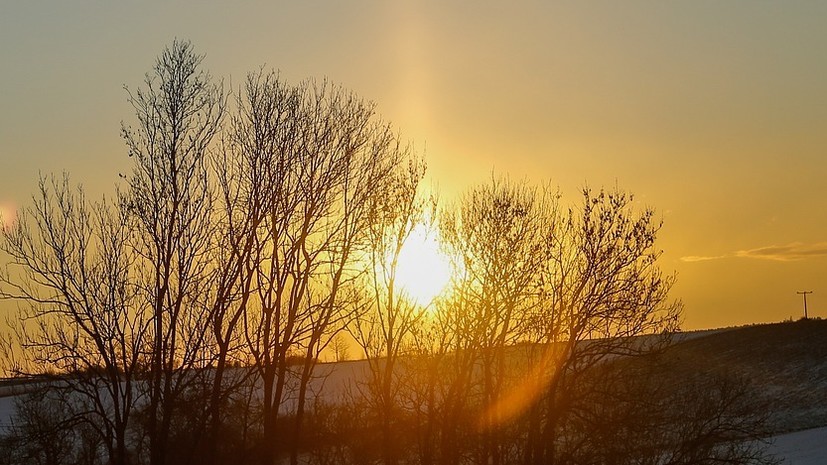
(714, 113)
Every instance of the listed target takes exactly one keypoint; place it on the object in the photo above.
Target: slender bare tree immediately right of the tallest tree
(242, 177)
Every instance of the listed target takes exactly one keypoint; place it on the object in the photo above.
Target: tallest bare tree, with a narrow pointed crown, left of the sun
(170, 199)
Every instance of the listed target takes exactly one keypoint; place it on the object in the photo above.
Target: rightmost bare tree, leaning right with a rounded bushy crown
(599, 290)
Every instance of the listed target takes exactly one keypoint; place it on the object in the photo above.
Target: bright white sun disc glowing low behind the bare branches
(422, 270)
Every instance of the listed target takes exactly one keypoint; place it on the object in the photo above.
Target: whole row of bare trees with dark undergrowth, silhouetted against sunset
(181, 320)
